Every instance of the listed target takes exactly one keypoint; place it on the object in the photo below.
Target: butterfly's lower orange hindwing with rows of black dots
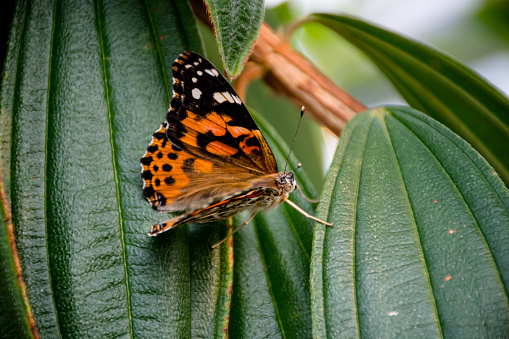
(175, 180)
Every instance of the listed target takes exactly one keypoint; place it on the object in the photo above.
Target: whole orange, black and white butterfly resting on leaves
(209, 158)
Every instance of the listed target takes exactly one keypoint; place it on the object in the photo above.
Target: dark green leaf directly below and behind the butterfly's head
(271, 271)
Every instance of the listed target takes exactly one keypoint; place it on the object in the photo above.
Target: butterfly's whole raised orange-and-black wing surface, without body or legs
(208, 148)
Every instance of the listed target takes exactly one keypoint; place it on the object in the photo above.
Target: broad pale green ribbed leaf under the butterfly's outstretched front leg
(420, 243)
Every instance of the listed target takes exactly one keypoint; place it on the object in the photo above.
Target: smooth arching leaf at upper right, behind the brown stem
(437, 85)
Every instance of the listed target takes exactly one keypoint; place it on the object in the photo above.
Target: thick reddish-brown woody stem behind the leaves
(292, 75)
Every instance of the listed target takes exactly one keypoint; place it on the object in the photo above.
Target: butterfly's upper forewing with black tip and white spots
(208, 119)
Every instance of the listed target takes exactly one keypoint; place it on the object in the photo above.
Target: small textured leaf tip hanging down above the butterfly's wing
(236, 27)
